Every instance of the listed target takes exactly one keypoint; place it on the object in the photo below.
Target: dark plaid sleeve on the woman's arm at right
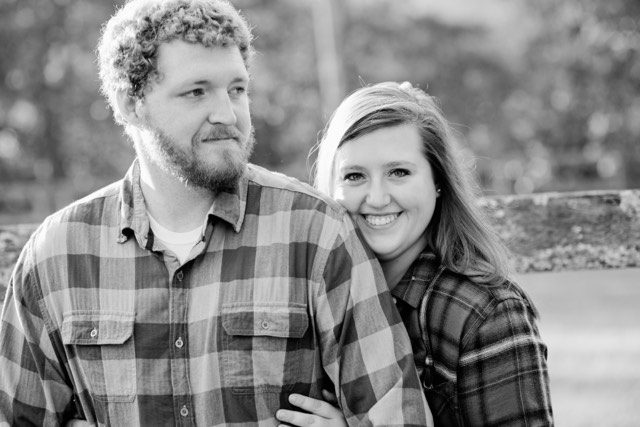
(502, 373)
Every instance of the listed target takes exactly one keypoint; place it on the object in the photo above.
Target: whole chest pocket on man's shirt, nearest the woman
(264, 346)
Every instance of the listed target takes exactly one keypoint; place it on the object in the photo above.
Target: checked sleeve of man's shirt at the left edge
(33, 390)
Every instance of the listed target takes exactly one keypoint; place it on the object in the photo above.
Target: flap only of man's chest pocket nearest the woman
(283, 321)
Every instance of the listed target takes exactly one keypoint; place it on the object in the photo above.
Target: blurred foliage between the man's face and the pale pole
(285, 95)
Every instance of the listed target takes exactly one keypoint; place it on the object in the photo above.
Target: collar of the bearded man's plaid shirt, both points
(229, 207)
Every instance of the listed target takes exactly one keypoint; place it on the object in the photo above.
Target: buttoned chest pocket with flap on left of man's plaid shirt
(103, 345)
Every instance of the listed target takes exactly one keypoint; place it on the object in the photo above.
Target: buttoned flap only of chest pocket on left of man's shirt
(96, 327)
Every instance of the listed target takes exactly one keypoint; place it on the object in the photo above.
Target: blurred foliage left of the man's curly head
(51, 111)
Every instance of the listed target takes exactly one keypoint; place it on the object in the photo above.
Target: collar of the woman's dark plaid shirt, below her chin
(411, 288)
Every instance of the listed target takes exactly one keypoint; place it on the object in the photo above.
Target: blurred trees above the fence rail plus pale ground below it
(544, 95)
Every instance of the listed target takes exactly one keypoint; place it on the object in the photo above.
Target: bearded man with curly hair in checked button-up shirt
(200, 289)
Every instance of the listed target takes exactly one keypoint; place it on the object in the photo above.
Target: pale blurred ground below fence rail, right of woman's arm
(591, 323)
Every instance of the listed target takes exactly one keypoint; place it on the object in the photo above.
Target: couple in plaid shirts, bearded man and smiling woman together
(203, 290)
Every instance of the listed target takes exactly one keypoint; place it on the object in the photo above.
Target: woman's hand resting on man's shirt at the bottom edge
(321, 413)
